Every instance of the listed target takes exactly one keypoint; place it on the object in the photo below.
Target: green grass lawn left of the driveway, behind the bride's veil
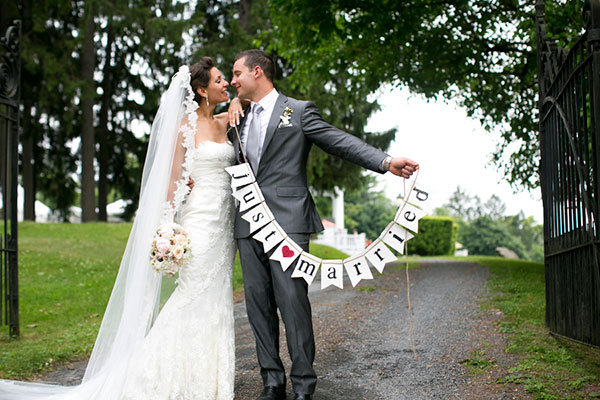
(66, 274)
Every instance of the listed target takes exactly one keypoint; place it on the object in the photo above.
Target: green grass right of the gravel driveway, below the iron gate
(549, 368)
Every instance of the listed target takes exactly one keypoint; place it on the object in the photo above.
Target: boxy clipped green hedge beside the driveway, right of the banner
(436, 236)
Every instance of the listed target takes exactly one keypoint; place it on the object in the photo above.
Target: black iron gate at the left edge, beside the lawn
(10, 71)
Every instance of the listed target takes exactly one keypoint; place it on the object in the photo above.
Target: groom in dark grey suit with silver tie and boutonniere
(276, 135)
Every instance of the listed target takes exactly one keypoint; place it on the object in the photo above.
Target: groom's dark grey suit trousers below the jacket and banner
(268, 288)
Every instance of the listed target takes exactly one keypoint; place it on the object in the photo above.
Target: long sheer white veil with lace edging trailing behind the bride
(134, 301)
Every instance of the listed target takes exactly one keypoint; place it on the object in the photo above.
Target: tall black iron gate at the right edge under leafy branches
(570, 177)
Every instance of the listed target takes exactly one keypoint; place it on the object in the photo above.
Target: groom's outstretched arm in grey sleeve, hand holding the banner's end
(349, 147)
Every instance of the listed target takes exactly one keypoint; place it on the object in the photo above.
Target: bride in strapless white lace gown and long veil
(187, 350)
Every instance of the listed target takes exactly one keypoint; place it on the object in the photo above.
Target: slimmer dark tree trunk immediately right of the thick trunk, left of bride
(103, 129)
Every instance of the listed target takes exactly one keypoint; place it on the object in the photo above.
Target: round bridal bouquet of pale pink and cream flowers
(170, 249)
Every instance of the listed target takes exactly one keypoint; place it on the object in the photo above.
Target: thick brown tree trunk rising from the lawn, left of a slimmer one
(88, 201)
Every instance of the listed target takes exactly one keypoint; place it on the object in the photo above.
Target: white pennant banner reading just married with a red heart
(265, 229)
